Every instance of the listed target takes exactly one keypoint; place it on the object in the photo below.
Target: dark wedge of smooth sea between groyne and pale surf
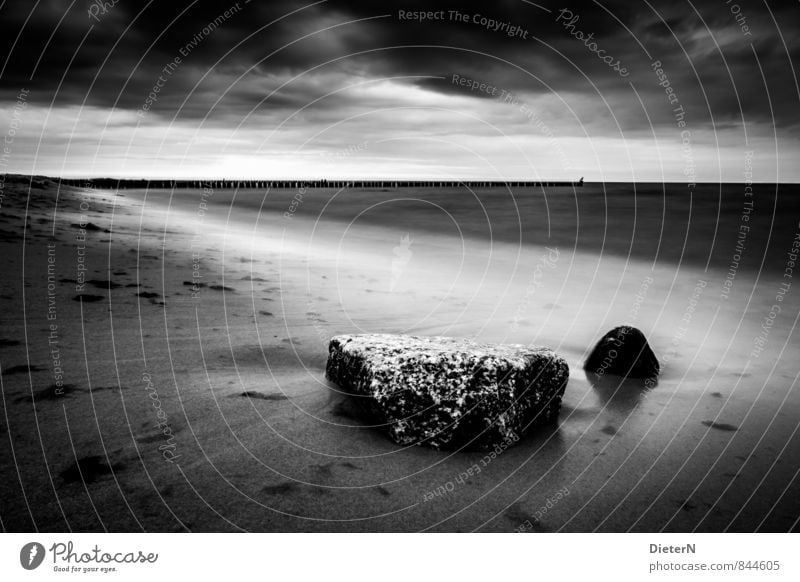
(661, 223)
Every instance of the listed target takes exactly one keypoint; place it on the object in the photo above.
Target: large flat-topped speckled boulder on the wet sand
(447, 392)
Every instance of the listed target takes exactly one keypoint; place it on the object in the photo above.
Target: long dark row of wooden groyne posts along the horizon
(118, 184)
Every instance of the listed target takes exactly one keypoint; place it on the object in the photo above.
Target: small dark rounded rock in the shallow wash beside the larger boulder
(623, 351)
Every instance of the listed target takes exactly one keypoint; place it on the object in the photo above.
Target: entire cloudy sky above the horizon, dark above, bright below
(291, 88)
